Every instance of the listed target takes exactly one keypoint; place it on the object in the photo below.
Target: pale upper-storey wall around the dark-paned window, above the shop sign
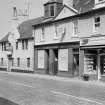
(86, 25)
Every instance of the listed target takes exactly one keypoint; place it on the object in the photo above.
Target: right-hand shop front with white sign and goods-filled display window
(92, 57)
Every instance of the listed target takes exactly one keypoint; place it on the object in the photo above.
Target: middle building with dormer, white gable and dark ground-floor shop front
(56, 41)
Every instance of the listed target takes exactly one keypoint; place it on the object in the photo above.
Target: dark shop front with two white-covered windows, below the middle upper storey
(58, 59)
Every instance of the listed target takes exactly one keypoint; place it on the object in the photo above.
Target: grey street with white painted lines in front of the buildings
(32, 89)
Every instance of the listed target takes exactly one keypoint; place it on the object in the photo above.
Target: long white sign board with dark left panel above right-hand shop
(94, 40)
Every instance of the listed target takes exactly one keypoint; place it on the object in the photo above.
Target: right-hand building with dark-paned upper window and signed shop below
(92, 42)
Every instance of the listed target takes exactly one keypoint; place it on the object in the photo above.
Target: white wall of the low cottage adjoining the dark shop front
(23, 55)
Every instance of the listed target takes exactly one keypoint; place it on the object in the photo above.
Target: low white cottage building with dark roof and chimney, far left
(17, 47)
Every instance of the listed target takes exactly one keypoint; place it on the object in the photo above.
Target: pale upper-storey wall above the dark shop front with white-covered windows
(50, 32)
